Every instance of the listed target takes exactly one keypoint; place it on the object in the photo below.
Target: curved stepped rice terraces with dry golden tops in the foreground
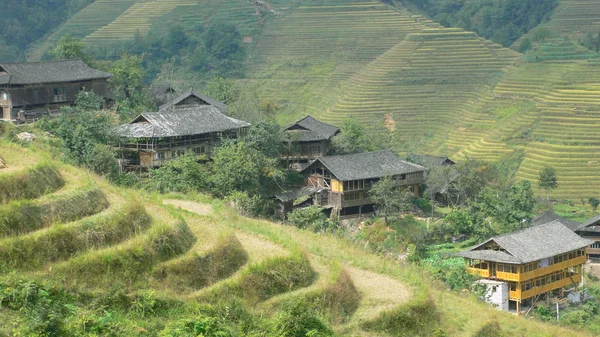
(181, 249)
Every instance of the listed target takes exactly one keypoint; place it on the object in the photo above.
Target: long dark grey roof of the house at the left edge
(49, 72)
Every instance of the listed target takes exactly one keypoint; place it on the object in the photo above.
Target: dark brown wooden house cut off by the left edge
(29, 90)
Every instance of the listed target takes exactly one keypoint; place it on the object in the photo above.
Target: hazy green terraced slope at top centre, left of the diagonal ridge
(302, 56)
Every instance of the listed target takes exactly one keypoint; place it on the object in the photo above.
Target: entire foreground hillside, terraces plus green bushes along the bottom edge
(80, 256)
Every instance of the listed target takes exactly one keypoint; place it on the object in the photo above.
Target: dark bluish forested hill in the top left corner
(24, 22)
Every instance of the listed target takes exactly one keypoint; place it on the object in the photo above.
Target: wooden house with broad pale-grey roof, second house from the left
(192, 122)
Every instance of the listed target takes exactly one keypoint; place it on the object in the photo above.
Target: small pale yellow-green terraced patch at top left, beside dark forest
(137, 18)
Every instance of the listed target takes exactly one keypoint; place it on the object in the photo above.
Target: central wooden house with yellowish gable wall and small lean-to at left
(342, 183)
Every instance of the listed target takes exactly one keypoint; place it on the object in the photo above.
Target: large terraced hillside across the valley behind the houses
(448, 91)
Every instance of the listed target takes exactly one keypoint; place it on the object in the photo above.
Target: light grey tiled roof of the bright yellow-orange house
(531, 244)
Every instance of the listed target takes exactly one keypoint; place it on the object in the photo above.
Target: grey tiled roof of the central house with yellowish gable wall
(367, 165)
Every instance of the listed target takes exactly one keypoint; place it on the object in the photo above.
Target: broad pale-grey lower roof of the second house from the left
(182, 121)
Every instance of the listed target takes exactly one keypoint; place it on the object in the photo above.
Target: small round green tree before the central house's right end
(390, 198)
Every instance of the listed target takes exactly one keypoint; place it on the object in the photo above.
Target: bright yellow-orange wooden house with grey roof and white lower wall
(518, 268)
